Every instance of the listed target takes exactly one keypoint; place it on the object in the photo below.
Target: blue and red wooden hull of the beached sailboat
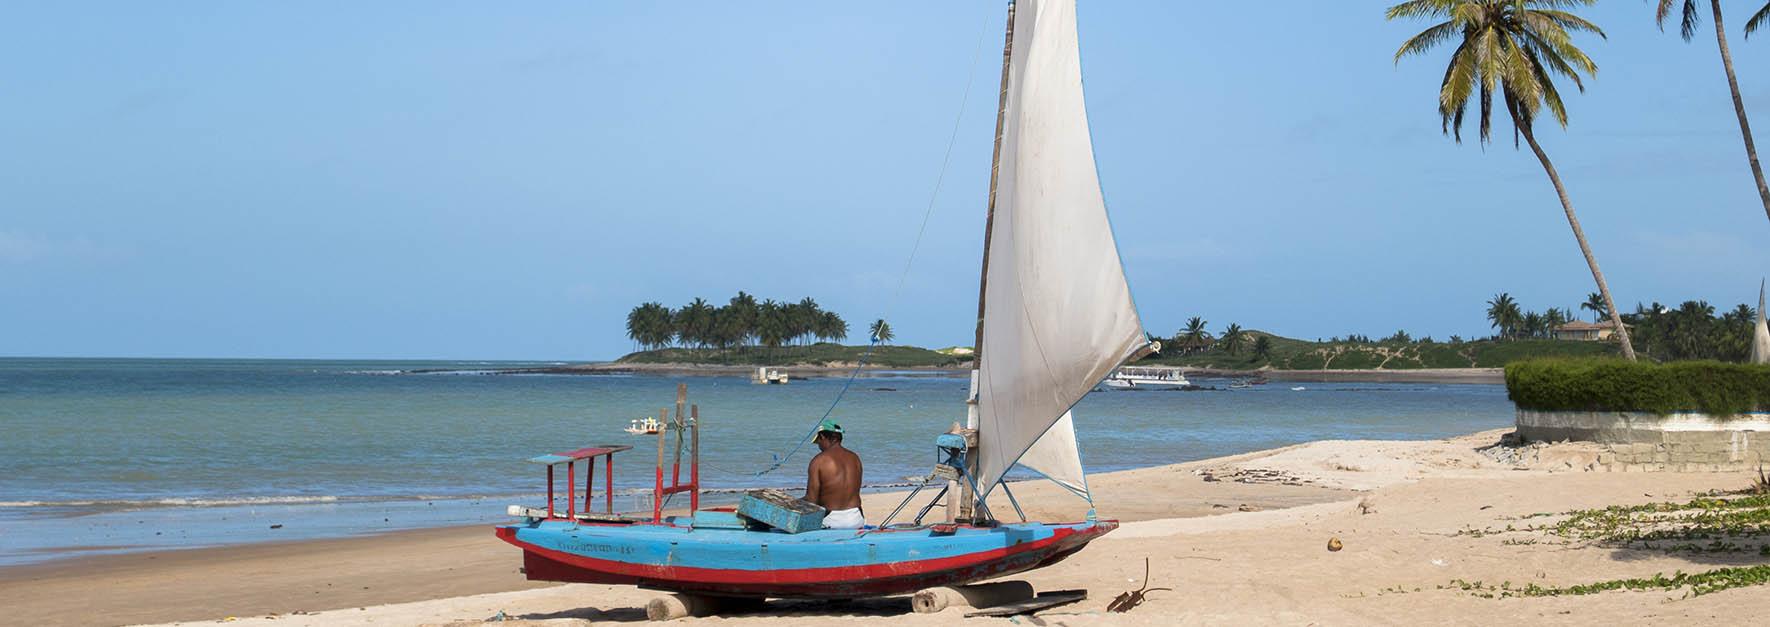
(829, 564)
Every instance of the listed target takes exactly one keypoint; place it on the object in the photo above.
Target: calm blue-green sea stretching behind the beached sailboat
(105, 456)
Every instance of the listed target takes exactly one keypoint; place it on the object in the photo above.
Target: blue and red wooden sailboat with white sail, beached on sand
(1054, 318)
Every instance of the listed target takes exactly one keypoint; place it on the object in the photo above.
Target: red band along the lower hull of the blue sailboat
(879, 580)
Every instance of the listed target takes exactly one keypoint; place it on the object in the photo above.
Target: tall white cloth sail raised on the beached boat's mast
(1058, 311)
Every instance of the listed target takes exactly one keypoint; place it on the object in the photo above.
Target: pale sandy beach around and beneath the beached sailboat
(1242, 539)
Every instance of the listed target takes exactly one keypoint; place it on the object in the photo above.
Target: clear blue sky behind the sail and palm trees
(424, 180)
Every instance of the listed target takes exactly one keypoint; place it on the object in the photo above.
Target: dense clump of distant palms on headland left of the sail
(739, 323)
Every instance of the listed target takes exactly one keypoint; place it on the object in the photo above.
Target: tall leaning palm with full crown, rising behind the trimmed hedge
(1514, 49)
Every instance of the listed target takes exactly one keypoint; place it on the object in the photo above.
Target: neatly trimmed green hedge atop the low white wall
(1615, 385)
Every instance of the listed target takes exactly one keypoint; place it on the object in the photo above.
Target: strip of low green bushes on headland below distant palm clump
(889, 357)
